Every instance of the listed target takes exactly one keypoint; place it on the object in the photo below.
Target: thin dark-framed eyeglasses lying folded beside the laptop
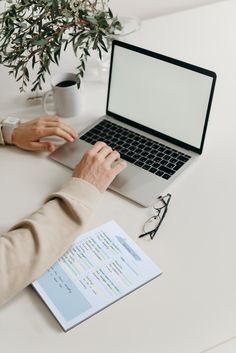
(159, 209)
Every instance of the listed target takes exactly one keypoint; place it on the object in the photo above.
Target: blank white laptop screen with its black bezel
(165, 95)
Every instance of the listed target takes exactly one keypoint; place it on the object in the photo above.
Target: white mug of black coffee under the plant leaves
(65, 94)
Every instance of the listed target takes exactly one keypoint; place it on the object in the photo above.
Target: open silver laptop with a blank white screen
(156, 117)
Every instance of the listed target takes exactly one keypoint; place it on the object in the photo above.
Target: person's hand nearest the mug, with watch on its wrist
(28, 135)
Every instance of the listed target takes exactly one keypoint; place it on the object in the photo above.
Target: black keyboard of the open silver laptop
(138, 149)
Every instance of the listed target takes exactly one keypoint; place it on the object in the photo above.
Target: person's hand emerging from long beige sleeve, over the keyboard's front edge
(97, 166)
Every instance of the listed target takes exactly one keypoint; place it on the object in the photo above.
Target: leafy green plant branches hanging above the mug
(34, 33)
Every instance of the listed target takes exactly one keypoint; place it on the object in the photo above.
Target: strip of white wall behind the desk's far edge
(152, 8)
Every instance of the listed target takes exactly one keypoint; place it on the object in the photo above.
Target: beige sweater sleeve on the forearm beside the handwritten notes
(33, 245)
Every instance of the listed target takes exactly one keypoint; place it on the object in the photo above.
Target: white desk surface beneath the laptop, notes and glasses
(191, 308)
